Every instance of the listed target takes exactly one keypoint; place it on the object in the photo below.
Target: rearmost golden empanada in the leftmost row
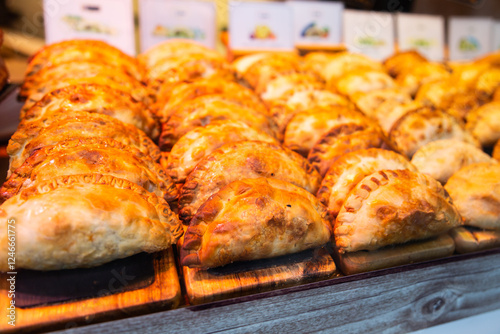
(83, 50)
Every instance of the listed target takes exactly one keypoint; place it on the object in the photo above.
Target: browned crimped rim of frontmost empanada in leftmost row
(161, 205)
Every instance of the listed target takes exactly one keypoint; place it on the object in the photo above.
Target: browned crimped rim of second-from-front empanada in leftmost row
(15, 182)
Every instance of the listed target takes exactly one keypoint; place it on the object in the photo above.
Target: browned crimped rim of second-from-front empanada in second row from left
(190, 188)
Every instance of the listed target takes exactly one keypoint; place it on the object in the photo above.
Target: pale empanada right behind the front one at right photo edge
(442, 158)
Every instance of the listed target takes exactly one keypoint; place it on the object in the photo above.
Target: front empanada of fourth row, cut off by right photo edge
(475, 190)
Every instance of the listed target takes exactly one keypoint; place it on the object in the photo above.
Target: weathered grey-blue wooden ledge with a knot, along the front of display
(395, 300)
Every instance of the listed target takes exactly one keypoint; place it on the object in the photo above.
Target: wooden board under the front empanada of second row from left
(239, 279)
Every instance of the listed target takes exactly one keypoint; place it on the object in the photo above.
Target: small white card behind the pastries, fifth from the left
(369, 33)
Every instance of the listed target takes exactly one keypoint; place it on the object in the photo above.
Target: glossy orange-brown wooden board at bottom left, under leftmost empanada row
(161, 292)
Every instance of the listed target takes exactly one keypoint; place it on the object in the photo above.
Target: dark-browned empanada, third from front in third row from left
(345, 138)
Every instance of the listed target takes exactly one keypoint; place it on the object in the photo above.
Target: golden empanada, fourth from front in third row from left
(307, 127)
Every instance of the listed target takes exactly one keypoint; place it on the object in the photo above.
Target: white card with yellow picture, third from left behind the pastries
(258, 26)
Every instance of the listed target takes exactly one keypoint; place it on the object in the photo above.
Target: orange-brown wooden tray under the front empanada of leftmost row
(162, 292)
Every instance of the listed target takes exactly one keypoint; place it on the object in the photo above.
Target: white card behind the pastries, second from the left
(160, 20)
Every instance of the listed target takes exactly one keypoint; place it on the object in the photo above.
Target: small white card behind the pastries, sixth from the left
(425, 33)
